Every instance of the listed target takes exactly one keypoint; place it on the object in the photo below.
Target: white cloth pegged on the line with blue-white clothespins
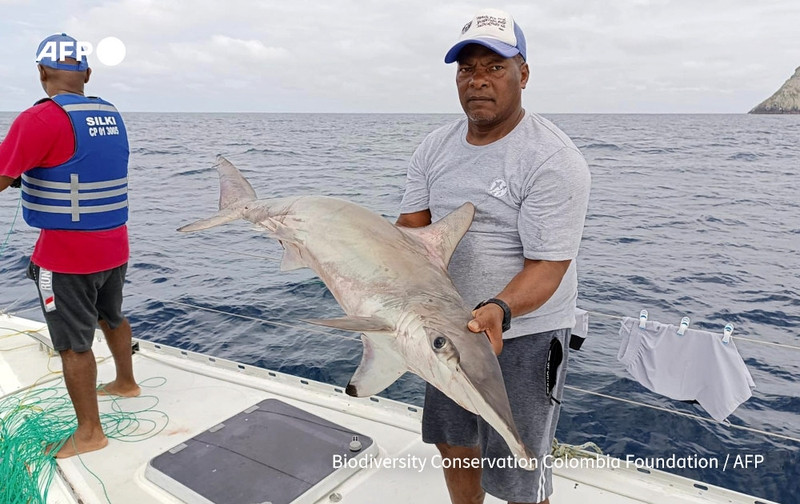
(696, 366)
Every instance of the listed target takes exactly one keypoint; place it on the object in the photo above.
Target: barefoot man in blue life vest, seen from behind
(69, 156)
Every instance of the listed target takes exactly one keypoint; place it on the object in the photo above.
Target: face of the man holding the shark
(489, 85)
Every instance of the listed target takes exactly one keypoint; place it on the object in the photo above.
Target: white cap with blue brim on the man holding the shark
(494, 29)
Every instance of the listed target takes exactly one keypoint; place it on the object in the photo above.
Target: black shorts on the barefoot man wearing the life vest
(73, 303)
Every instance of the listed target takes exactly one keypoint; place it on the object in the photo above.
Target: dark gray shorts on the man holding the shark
(534, 369)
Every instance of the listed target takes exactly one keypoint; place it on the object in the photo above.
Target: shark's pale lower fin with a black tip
(380, 367)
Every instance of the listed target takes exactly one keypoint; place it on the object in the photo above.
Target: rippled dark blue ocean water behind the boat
(692, 215)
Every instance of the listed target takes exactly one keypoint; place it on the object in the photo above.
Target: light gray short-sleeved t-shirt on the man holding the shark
(530, 190)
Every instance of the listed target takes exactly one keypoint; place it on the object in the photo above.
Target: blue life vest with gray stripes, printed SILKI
(90, 191)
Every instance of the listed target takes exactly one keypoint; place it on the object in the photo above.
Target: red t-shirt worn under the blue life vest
(42, 136)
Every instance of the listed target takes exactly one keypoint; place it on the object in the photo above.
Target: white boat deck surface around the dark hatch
(197, 392)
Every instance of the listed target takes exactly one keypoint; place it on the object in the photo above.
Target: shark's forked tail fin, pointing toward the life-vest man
(234, 190)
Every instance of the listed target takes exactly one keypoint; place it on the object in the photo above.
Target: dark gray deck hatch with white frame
(270, 452)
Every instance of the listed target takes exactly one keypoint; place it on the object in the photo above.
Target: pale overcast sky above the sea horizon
(652, 56)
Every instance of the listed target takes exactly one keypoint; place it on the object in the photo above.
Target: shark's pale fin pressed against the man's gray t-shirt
(442, 237)
